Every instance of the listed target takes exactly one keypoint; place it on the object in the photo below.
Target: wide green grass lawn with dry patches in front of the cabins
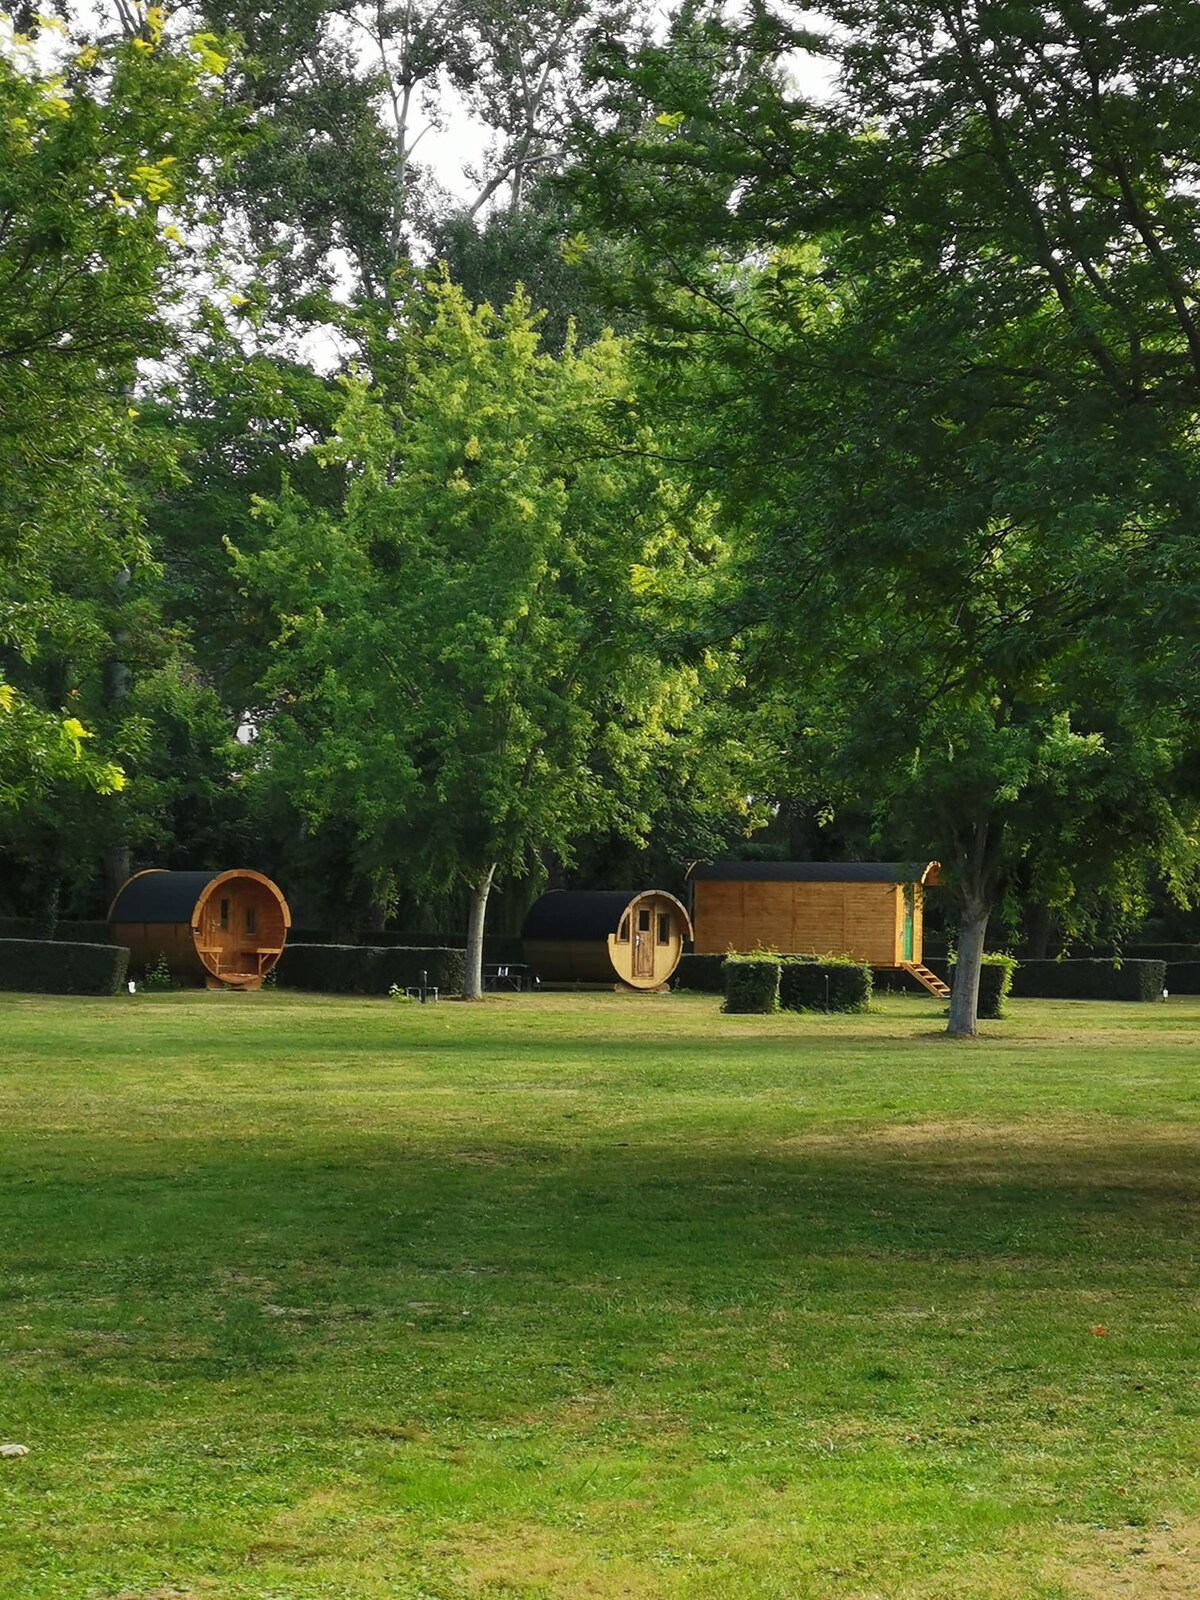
(598, 1297)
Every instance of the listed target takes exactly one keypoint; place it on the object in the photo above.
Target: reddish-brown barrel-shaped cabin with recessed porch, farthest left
(222, 929)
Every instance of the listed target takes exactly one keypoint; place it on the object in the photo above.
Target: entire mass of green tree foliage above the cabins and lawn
(881, 508)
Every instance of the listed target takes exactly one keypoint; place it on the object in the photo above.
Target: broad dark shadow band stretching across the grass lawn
(393, 1226)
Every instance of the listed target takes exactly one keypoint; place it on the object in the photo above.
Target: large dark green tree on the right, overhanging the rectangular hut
(950, 380)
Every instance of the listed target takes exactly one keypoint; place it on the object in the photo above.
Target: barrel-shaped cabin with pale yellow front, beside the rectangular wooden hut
(606, 937)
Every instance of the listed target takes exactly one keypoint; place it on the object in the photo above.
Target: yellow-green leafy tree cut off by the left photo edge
(103, 156)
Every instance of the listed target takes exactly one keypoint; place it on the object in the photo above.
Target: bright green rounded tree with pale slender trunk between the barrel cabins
(468, 662)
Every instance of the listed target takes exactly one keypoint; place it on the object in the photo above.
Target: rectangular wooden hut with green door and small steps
(870, 911)
